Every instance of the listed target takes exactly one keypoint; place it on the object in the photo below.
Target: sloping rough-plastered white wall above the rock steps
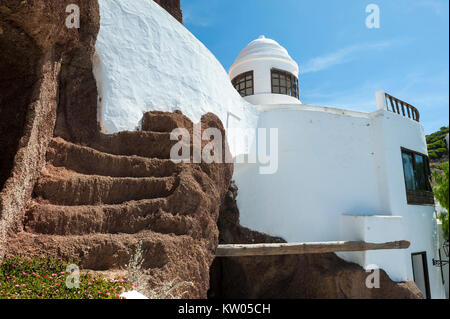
(146, 60)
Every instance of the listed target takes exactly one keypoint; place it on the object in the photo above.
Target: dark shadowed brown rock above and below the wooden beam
(321, 276)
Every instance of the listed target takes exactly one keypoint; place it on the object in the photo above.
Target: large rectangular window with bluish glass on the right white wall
(416, 169)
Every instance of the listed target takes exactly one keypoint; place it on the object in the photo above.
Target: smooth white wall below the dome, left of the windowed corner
(326, 168)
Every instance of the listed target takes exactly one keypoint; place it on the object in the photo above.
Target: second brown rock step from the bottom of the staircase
(129, 217)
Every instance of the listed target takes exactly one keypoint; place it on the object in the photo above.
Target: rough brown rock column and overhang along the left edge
(43, 65)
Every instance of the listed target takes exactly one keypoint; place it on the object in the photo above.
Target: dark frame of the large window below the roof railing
(418, 197)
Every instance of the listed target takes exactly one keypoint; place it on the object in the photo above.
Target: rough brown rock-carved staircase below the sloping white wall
(94, 204)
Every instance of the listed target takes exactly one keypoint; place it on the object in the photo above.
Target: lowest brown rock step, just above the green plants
(99, 251)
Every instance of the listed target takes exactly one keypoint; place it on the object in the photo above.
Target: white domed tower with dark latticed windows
(264, 73)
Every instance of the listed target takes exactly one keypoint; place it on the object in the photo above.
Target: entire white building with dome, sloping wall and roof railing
(342, 175)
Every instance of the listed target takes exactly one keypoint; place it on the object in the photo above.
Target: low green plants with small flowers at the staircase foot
(45, 278)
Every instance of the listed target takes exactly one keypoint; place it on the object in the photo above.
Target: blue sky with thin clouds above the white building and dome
(342, 62)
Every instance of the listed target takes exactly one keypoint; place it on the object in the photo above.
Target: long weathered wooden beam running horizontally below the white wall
(304, 248)
